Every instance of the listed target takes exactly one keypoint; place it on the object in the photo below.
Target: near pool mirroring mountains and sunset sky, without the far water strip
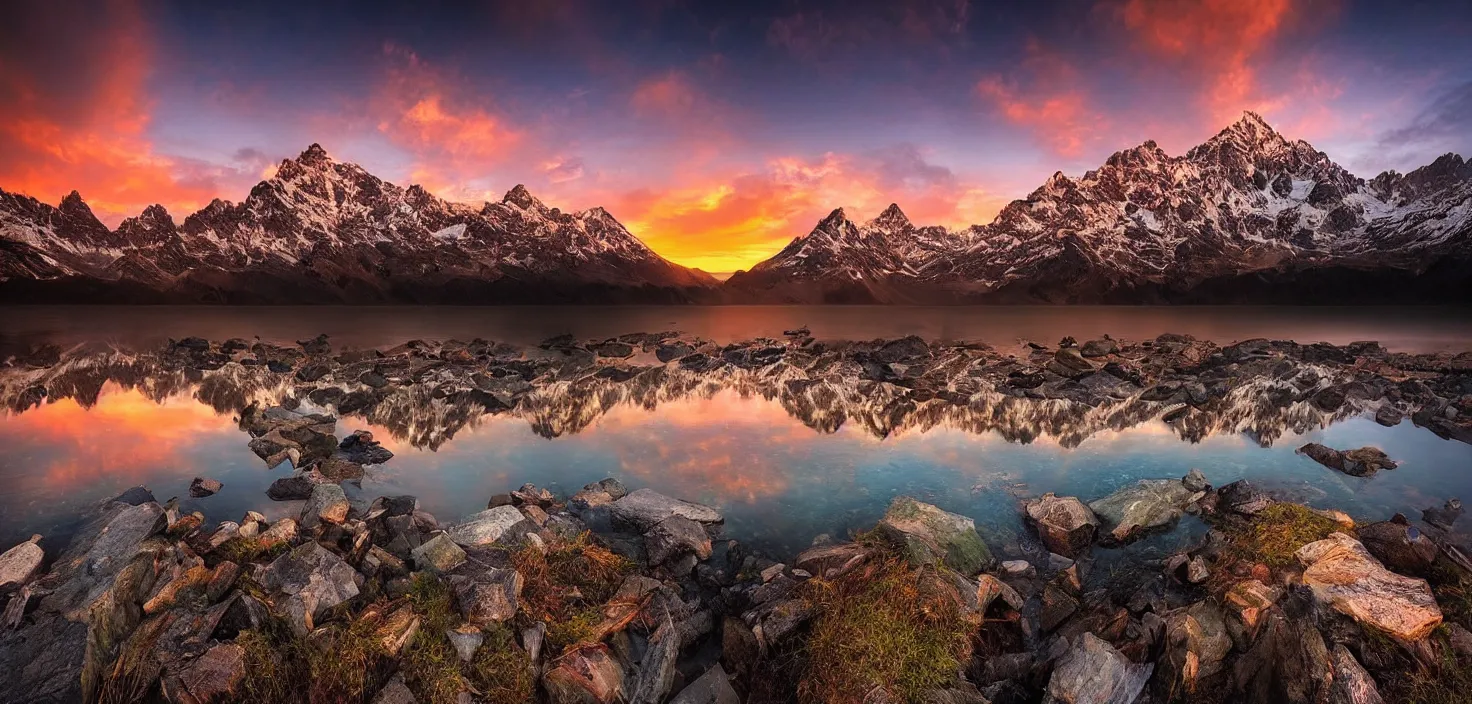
(785, 451)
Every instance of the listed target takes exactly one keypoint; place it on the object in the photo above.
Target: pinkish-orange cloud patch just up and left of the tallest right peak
(1052, 102)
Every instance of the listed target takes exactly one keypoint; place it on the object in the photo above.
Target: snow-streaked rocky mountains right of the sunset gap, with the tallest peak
(1246, 217)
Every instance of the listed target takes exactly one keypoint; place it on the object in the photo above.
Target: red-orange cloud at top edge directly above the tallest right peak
(1220, 39)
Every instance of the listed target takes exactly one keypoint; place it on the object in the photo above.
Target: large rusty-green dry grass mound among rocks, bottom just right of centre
(887, 628)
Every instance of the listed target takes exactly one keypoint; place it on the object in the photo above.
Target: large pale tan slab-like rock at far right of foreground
(1345, 577)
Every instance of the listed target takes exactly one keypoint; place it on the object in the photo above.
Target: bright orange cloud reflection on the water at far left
(126, 435)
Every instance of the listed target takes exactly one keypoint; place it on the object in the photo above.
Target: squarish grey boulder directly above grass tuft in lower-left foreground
(313, 580)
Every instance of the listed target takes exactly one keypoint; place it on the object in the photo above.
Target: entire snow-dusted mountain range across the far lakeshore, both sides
(1248, 217)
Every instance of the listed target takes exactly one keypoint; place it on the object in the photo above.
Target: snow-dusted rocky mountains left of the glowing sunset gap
(323, 230)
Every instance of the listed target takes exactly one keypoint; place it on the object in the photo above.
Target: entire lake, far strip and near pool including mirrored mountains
(784, 468)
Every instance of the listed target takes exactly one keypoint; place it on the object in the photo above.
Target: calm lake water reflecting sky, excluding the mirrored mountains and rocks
(779, 481)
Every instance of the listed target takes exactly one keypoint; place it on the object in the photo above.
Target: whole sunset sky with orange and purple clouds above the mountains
(715, 132)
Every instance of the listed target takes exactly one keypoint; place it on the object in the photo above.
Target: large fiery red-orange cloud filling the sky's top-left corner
(95, 139)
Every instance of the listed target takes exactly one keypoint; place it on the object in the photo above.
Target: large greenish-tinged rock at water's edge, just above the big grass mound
(928, 534)
